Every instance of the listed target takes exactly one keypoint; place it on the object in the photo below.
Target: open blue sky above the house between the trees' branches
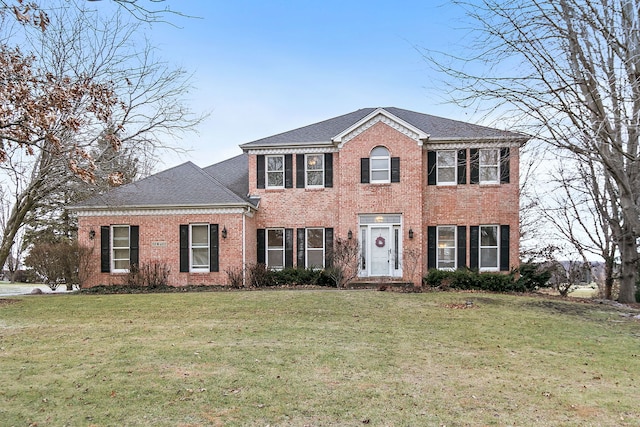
(261, 68)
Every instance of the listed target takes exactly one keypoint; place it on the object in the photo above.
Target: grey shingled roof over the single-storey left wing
(185, 185)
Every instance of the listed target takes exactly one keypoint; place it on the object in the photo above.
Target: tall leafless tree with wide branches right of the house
(567, 70)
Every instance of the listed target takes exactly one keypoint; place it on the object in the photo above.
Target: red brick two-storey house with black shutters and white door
(400, 182)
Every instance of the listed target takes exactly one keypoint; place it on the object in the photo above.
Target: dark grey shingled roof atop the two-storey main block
(437, 128)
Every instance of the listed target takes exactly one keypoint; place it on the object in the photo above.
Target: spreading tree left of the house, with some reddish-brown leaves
(89, 79)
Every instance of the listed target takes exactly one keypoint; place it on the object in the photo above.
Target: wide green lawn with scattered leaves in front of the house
(316, 358)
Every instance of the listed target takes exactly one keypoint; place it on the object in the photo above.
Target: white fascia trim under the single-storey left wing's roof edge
(177, 210)
